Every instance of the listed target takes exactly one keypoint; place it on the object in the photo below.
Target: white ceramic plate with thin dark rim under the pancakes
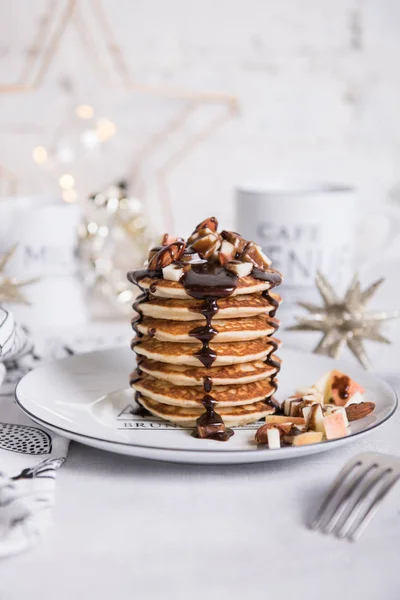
(85, 398)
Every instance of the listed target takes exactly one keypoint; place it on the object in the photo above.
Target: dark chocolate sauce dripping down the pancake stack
(209, 282)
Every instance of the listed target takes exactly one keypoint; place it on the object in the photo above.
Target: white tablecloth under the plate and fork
(129, 528)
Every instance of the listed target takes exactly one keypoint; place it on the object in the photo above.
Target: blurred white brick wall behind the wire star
(318, 84)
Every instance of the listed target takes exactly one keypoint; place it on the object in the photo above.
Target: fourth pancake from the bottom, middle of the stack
(185, 354)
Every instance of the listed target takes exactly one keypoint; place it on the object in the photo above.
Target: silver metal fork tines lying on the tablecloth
(356, 493)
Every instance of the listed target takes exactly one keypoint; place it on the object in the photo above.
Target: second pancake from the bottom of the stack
(192, 396)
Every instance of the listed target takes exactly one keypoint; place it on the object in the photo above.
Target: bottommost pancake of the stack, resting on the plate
(186, 417)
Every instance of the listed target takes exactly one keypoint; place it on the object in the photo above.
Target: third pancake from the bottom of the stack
(229, 374)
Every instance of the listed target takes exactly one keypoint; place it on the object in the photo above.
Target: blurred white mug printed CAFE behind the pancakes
(302, 229)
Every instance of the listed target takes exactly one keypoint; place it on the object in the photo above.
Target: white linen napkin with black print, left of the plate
(29, 455)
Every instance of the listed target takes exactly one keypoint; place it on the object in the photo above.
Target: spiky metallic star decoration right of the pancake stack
(344, 321)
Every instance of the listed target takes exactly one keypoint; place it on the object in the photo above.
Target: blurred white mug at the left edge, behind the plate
(44, 231)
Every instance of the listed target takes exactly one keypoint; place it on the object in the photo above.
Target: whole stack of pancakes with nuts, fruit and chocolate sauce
(204, 332)
